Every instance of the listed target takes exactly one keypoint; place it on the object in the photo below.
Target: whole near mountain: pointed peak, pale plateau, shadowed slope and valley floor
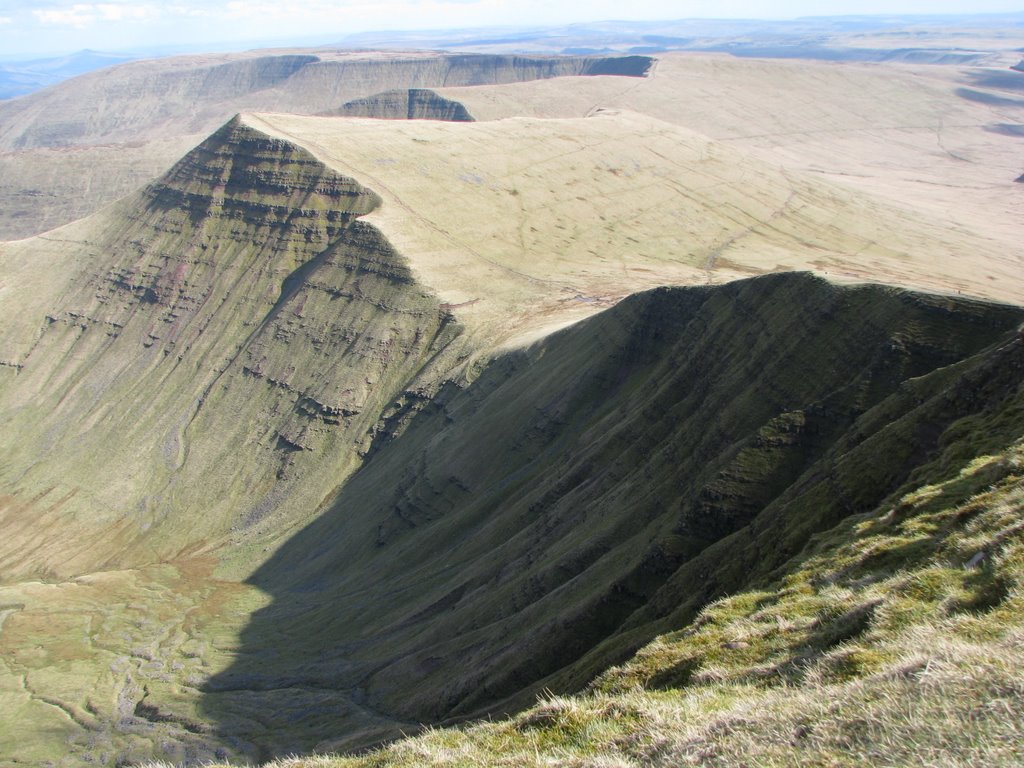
(244, 391)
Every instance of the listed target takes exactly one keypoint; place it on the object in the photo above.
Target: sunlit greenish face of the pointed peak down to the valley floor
(237, 286)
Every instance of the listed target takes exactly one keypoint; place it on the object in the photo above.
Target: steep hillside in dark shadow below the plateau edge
(537, 526)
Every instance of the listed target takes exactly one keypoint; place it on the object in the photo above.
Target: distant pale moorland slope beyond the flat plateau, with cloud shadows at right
(932, 139)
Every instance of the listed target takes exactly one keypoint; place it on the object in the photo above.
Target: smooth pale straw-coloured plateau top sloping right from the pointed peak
(558, 218)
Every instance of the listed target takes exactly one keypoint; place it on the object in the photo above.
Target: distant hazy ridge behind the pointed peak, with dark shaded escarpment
(74, 148)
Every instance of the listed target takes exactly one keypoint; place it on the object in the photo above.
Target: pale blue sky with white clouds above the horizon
(52, 27)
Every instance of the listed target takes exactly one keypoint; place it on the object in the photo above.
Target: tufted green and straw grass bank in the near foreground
(898, 638)
